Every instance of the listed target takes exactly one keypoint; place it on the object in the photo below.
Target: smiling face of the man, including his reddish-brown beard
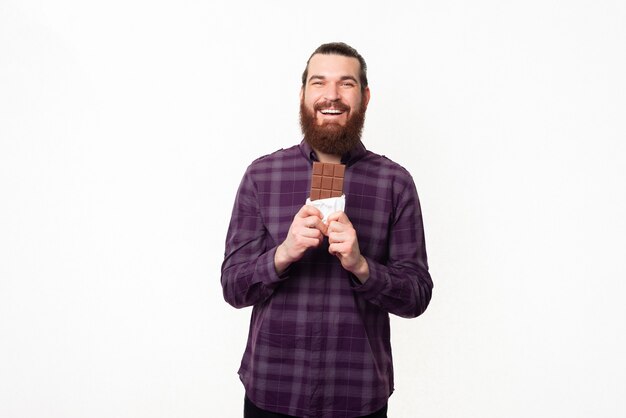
(332, 104)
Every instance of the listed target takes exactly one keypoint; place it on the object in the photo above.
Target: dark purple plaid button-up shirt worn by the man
(319, 340)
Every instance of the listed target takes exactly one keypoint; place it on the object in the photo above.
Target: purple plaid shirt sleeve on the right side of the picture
(402, 285)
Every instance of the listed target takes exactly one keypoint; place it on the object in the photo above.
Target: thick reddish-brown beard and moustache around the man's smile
(332, 138)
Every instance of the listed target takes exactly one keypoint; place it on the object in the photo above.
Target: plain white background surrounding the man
(125, 127)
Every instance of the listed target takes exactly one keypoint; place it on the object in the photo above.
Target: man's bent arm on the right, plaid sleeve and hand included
(402, 285)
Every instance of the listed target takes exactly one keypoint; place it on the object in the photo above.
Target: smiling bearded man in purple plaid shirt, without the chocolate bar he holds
(319, 338)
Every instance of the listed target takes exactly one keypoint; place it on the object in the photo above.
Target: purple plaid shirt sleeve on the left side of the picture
(248, 273)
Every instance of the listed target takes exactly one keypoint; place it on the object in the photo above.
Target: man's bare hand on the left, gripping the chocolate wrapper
(306, 231)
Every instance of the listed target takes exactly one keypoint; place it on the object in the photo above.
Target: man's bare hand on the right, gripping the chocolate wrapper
(345, 246)
